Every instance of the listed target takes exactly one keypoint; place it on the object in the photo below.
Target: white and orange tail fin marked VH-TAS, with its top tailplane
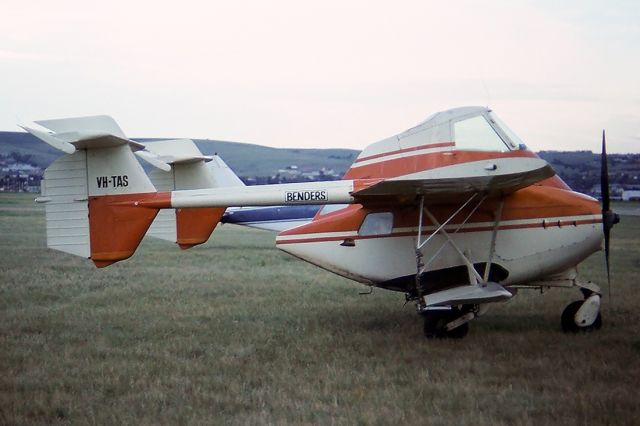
(86, 190)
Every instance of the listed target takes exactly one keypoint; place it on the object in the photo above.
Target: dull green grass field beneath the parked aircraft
(237, 332)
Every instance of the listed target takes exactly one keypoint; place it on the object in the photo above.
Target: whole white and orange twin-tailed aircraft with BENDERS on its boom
(455, 212)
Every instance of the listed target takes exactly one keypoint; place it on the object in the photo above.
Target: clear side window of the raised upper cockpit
(476, 134)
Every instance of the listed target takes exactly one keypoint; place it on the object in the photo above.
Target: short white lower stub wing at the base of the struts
(468, 294)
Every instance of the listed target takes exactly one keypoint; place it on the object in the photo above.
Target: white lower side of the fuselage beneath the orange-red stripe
(528, 254)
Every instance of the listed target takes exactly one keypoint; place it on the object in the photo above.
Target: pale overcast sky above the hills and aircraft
(326, 74)
